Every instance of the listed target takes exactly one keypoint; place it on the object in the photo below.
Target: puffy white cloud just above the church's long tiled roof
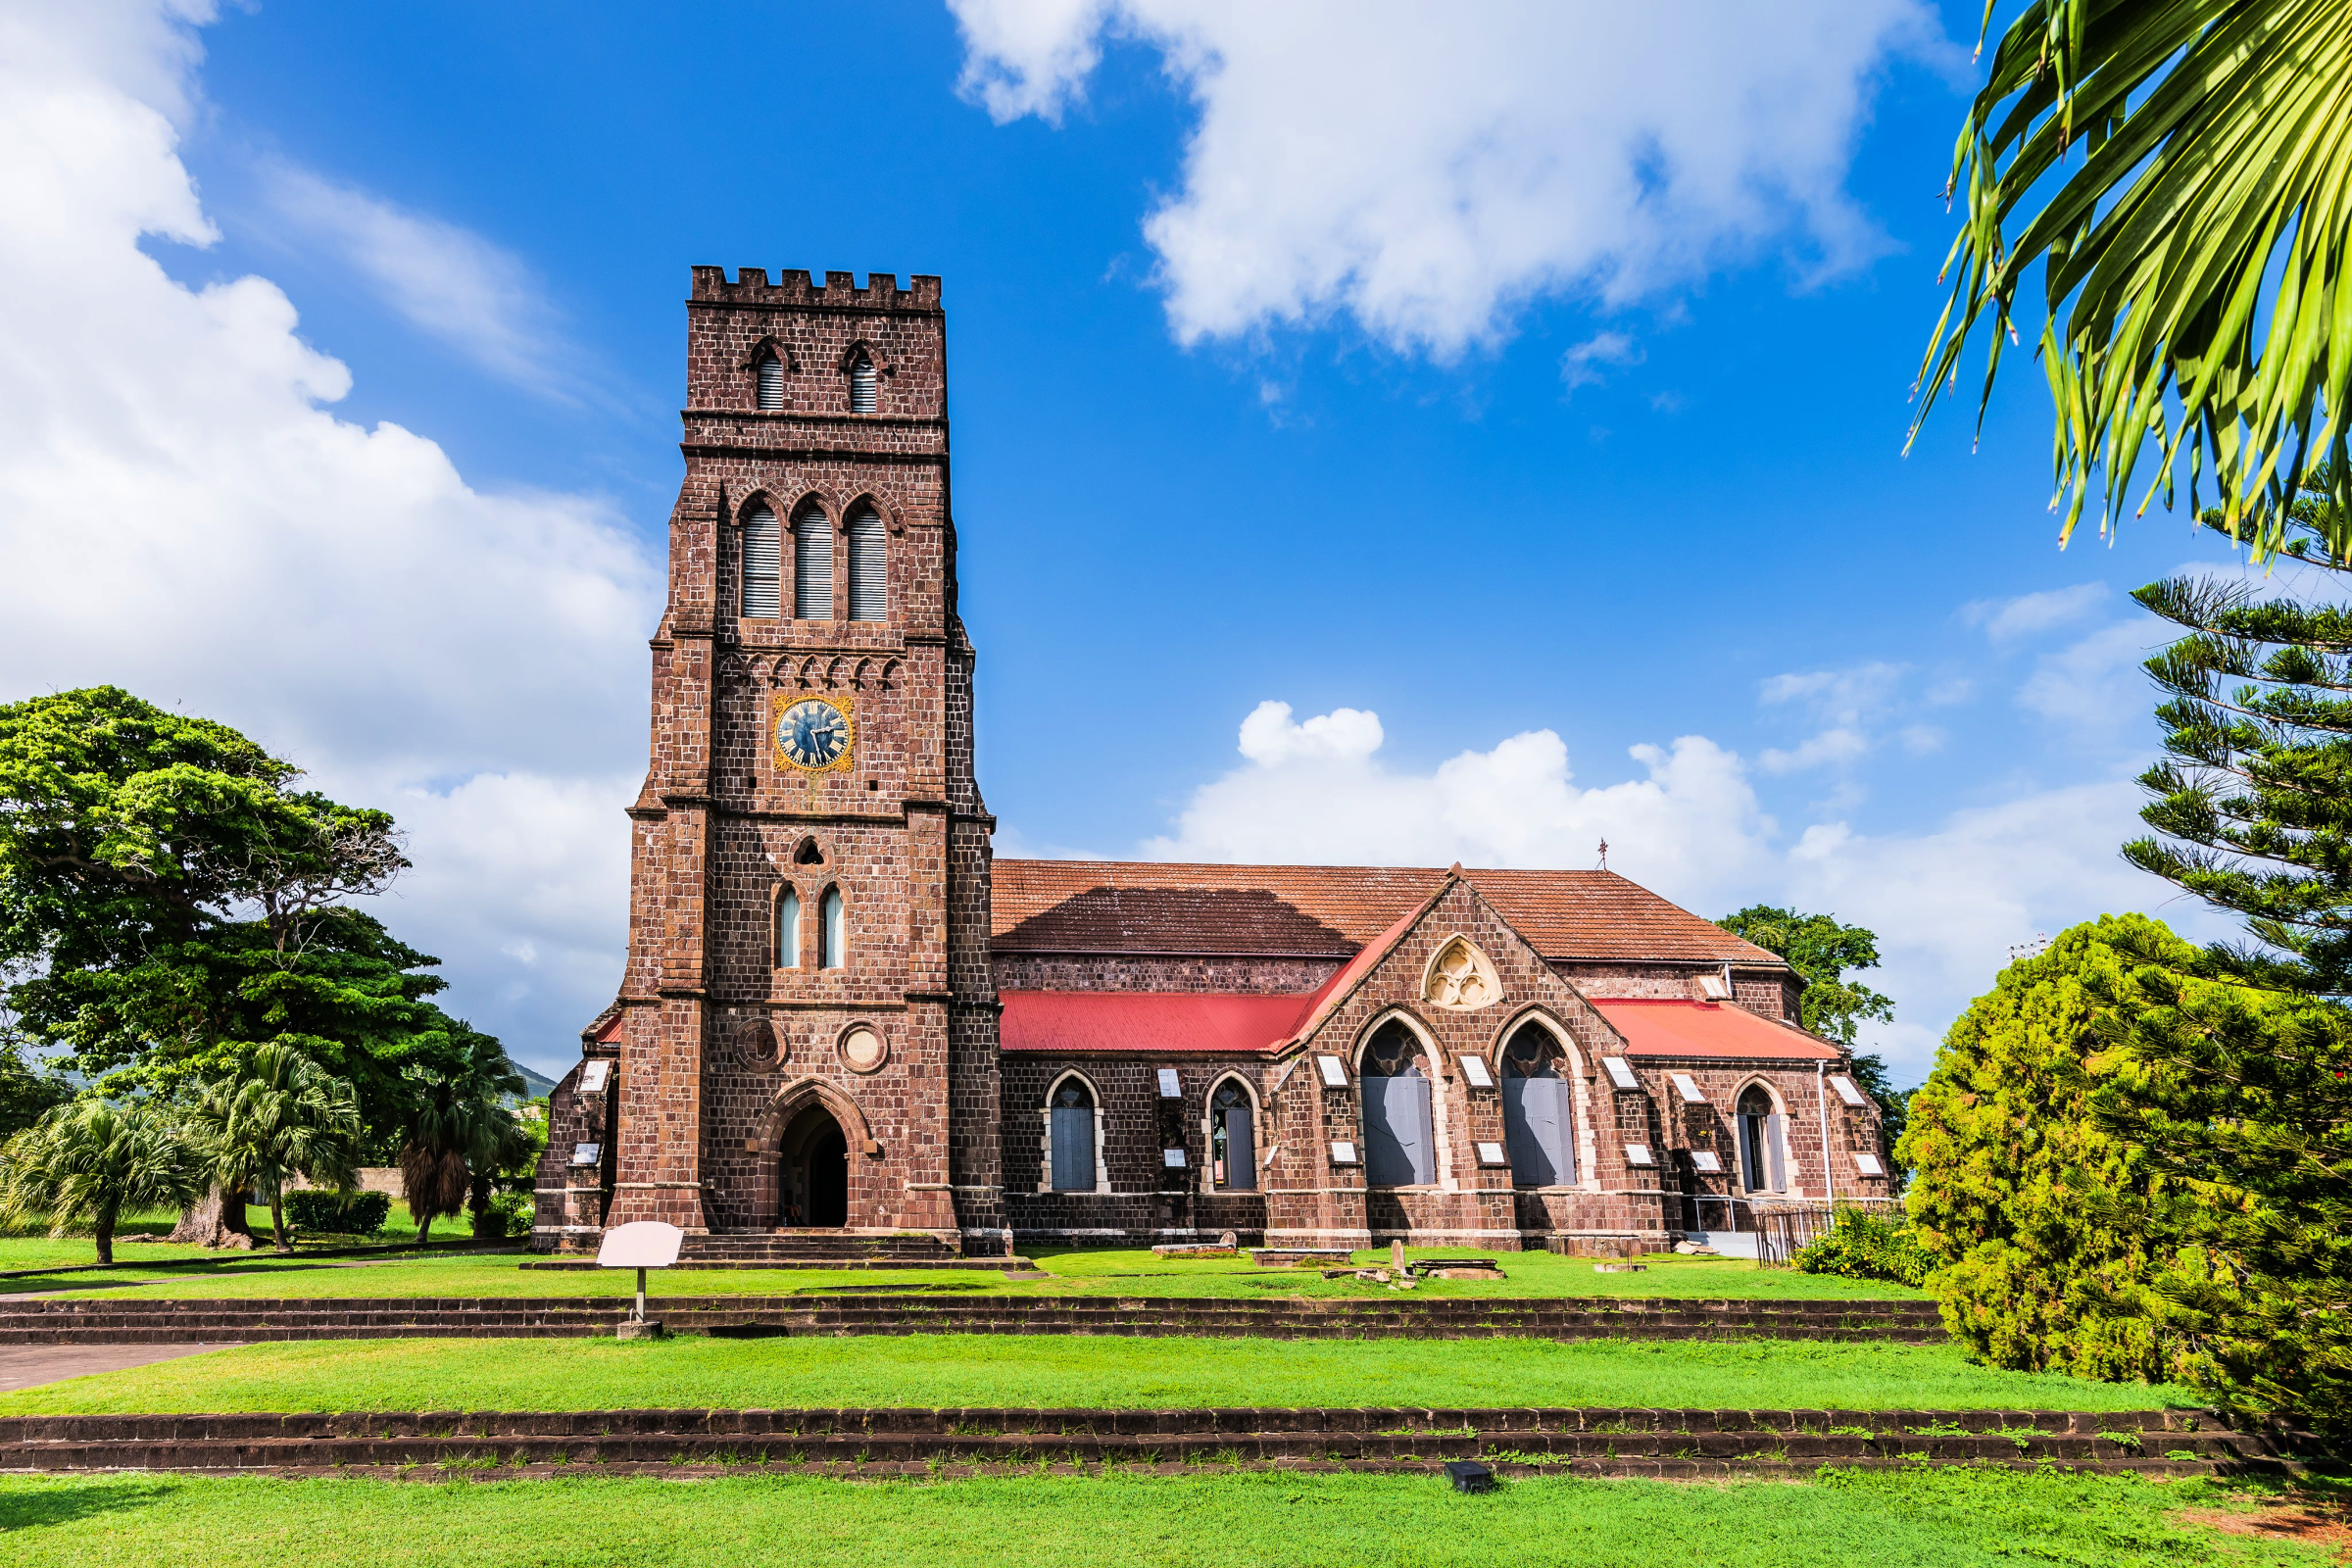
(1318, 791)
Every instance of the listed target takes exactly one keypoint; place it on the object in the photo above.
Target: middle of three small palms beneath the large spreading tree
(276, 1118)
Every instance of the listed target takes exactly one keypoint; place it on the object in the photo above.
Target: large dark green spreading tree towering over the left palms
(173, 902)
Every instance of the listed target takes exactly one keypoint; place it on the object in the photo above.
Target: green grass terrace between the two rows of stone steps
(1071, 1372)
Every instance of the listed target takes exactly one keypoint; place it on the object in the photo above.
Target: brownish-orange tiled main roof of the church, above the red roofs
(1330, 911)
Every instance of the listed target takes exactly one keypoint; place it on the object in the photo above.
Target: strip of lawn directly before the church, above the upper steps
(1071, 1273)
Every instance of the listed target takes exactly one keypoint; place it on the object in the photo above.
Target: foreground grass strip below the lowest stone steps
(1930, 1520)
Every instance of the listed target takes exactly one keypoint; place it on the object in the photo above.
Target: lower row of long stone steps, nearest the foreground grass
(1608, 1442)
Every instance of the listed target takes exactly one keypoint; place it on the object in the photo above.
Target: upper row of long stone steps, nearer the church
(131, 1320)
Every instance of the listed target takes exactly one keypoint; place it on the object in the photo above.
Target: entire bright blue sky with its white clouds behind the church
(1563, 436)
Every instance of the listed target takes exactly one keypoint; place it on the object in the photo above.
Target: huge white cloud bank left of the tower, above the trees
(185, 516)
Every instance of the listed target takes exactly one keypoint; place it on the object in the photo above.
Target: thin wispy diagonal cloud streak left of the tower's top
(446, 281)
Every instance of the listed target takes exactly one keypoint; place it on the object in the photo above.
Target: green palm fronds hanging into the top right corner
(2193, 262)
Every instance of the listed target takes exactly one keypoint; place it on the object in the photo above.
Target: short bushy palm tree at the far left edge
(93, 1160)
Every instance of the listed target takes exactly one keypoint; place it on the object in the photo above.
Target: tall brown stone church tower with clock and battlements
(808, 1028)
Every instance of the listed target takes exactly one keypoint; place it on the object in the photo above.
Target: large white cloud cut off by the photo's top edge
(1431, 168)
